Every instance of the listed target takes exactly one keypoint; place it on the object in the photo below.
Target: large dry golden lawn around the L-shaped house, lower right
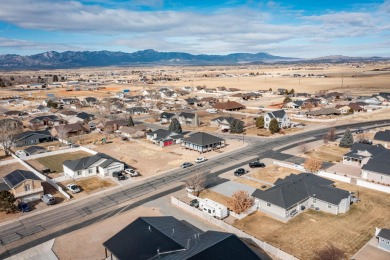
(311, 230)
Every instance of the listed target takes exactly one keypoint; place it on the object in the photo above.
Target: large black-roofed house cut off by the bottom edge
(167, 238)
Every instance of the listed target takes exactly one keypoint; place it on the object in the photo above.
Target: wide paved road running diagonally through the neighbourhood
(81, 211)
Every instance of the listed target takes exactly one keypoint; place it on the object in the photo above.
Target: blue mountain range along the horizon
(75, 59)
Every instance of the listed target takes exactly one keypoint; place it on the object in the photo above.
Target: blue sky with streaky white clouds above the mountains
(299, 28)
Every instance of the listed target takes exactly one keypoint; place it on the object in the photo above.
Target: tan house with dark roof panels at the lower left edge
(24, 185)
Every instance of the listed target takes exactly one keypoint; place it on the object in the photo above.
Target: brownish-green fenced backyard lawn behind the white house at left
(55, 162)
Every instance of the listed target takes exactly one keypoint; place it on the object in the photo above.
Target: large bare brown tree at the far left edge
(9, 131)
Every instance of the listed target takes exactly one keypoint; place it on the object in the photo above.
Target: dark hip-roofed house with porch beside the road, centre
(203, 142)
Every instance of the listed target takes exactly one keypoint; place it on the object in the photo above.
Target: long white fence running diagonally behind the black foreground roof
(264, 245)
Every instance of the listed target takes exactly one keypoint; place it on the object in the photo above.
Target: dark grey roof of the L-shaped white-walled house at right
(295, 188)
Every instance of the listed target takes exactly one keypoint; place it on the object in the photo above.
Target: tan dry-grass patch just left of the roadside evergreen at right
(328, 153)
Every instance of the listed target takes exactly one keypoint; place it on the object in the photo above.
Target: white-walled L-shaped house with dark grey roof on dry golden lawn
(296, 193)
